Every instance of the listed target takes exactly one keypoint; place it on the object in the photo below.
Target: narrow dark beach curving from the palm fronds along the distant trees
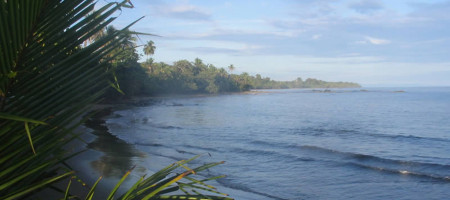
(107, 155)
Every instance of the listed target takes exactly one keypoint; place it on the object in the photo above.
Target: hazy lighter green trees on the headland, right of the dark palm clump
(196, 77)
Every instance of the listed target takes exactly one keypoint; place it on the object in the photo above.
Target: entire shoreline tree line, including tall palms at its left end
(191, 77)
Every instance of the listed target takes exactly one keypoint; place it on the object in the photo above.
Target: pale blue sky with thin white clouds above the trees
(371, 42)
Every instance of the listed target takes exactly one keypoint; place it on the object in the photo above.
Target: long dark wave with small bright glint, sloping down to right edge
(439, 172)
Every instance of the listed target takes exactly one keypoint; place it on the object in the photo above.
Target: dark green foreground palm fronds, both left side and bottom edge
(55, 63)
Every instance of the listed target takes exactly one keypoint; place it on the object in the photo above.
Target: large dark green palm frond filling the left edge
(47, 79)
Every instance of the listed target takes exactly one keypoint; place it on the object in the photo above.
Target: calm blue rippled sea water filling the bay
(304, 144)
